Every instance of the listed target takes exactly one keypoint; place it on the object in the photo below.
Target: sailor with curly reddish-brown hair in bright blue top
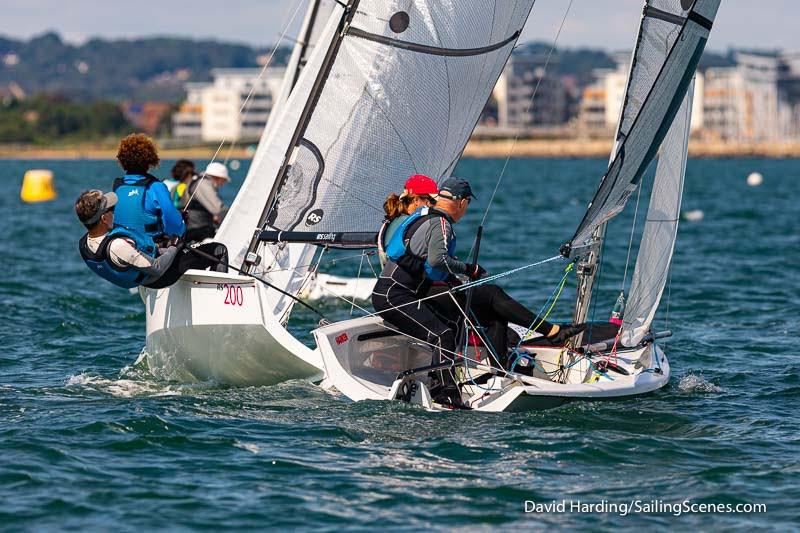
(145, 204)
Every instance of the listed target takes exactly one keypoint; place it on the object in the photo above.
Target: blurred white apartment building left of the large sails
(216, 111)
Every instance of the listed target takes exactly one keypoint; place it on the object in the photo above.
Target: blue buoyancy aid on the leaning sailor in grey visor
(101, 264)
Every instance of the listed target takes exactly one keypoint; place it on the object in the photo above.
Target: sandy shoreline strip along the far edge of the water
(523, 148)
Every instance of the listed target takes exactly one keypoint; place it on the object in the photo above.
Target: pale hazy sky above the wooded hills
(608, 24)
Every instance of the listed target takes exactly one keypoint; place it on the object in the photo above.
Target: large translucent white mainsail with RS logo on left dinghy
(402, 96)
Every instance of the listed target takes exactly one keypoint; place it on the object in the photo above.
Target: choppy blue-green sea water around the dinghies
(89, 440)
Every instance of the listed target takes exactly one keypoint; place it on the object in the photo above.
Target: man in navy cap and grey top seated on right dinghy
(422, 263)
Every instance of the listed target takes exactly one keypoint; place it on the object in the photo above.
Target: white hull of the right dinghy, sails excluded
(362, 359)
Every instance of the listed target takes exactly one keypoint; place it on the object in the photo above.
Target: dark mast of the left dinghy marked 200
(251, 257)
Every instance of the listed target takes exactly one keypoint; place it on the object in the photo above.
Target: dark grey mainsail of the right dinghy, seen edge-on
(672, 37)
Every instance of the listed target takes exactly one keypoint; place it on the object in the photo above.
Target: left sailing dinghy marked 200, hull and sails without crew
(389, 90)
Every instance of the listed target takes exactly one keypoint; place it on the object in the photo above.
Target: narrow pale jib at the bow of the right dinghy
(660, 230)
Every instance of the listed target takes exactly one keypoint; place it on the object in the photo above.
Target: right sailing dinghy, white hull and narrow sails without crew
(367, 358)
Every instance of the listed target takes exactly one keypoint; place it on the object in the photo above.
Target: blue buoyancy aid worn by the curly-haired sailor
(130, 211)
